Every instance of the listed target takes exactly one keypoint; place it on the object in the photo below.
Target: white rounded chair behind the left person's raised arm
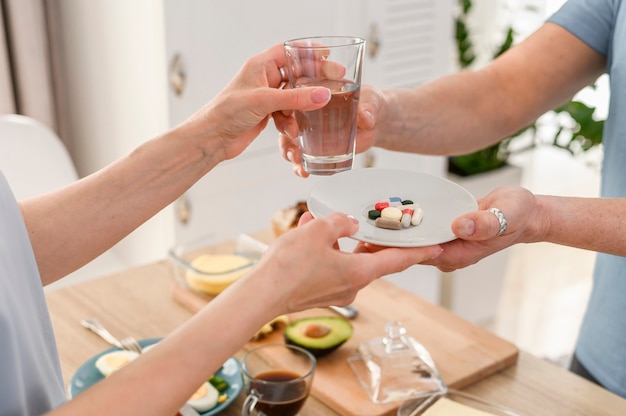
(35, 161)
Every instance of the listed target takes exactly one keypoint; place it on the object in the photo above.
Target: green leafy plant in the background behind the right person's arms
(576, 128)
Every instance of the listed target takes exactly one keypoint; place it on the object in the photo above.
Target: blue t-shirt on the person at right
(601, 345)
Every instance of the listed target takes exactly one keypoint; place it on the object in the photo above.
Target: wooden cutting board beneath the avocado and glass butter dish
(463, 352)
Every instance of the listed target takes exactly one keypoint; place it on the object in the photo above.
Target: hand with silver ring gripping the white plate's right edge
(506, 216)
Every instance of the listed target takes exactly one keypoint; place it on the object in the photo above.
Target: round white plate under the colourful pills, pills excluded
(356, 191)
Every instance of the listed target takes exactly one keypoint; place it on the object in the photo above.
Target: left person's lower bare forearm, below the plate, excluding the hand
(177, 365)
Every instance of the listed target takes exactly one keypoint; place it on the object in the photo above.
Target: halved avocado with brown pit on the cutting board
(319, 336)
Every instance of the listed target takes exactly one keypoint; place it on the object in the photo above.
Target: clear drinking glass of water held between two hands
(327, 136)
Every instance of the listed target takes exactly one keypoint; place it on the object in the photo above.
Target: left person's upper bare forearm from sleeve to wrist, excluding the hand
(99, 210)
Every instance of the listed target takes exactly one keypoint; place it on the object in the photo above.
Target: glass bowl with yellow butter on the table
(210, 264)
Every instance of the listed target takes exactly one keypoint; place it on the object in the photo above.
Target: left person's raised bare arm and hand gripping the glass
(72, 226)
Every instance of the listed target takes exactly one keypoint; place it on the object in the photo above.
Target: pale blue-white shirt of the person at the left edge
(31, 381)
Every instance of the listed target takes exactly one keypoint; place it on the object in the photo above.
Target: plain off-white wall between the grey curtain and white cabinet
(105, 50)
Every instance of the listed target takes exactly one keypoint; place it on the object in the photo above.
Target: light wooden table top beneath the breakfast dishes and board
(139, 302)
